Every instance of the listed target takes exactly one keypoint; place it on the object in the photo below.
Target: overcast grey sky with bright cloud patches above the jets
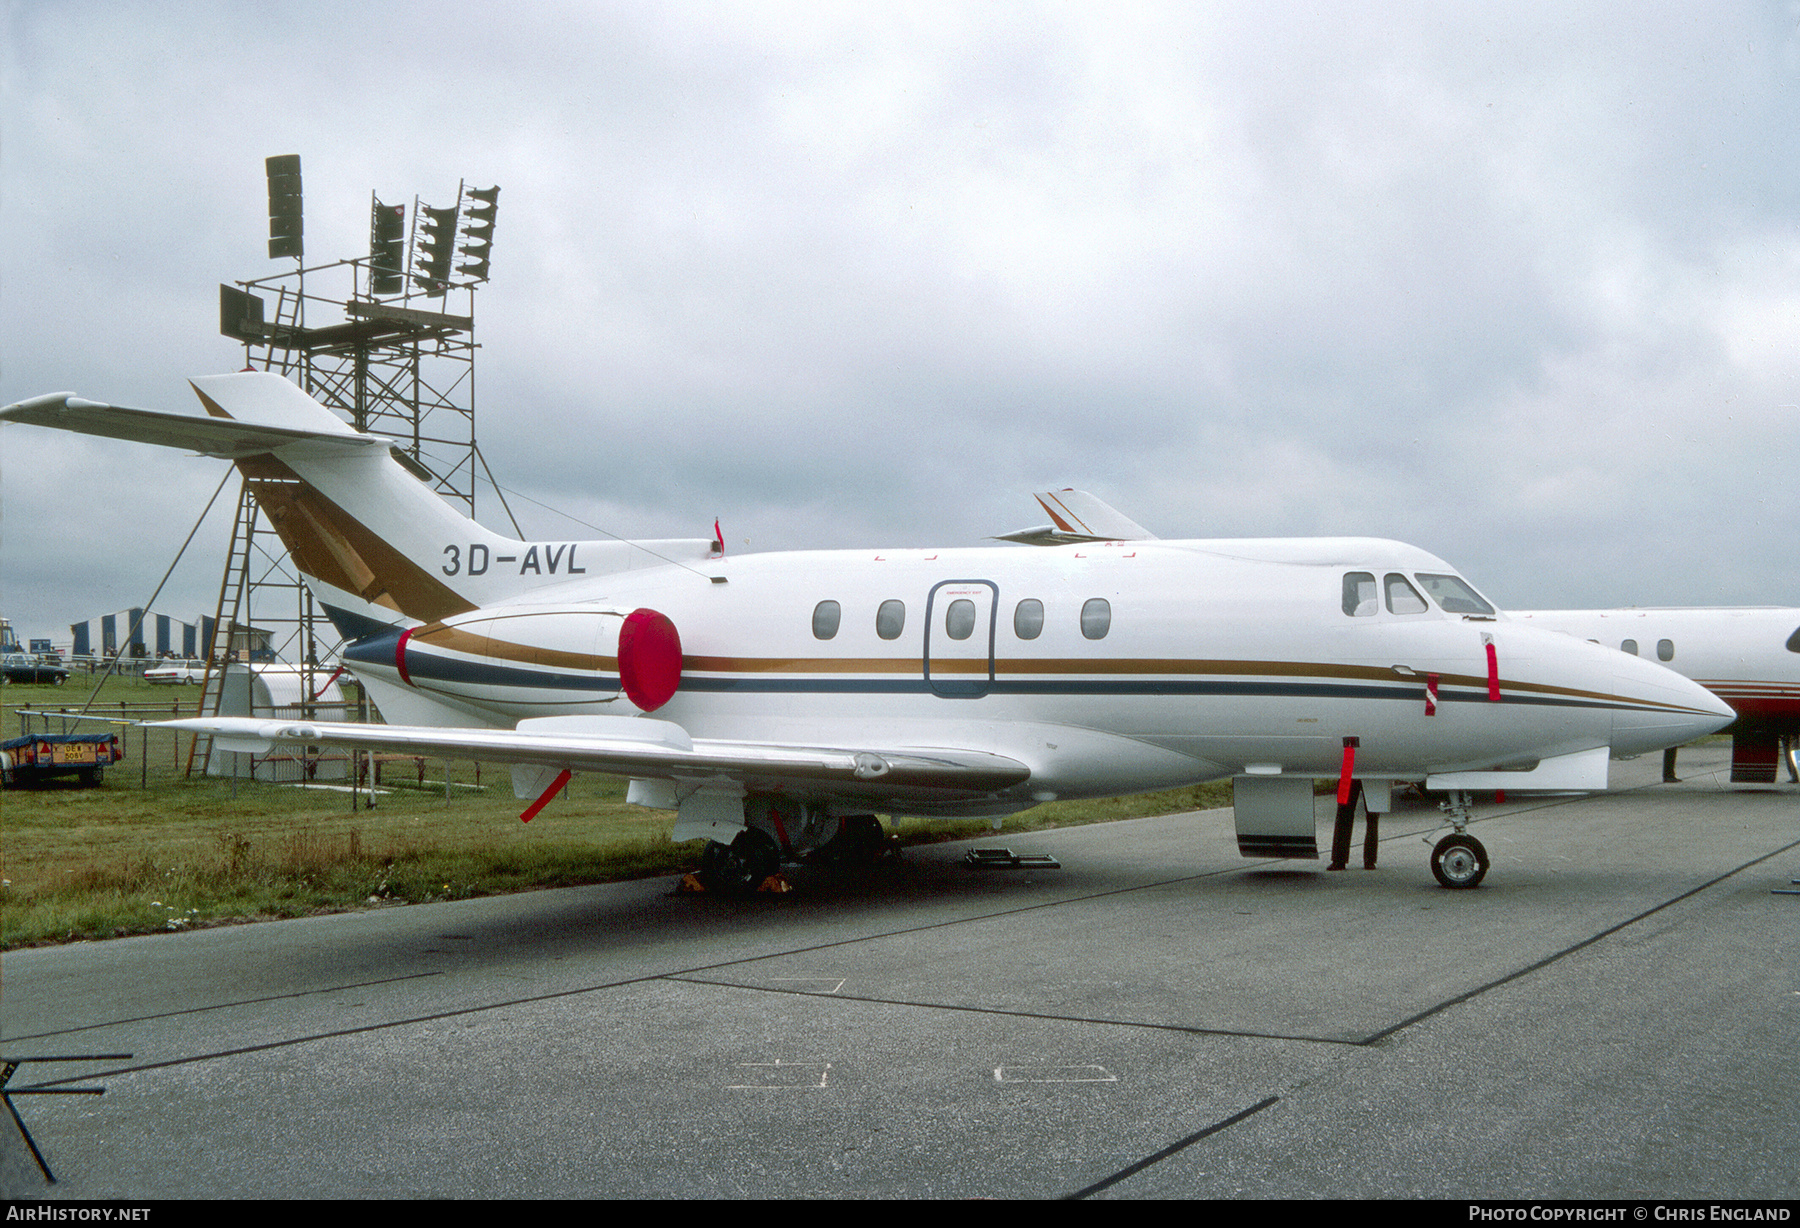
(1515, 284)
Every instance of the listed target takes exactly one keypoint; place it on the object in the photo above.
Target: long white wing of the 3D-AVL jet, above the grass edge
(629, 746)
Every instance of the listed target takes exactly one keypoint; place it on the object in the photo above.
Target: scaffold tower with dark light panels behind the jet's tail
(395, 359)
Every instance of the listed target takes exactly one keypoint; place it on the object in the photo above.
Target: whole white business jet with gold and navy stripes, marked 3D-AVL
(777, 703)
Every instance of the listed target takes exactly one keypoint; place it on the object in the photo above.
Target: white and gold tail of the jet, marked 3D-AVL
(375, 543)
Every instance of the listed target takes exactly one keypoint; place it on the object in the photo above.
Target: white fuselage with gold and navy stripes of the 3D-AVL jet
(1102, 669)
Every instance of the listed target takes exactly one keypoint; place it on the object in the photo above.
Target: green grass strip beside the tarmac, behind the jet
(154, 851)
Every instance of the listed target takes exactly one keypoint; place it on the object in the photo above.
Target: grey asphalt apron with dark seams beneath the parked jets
(1615, 1013)
